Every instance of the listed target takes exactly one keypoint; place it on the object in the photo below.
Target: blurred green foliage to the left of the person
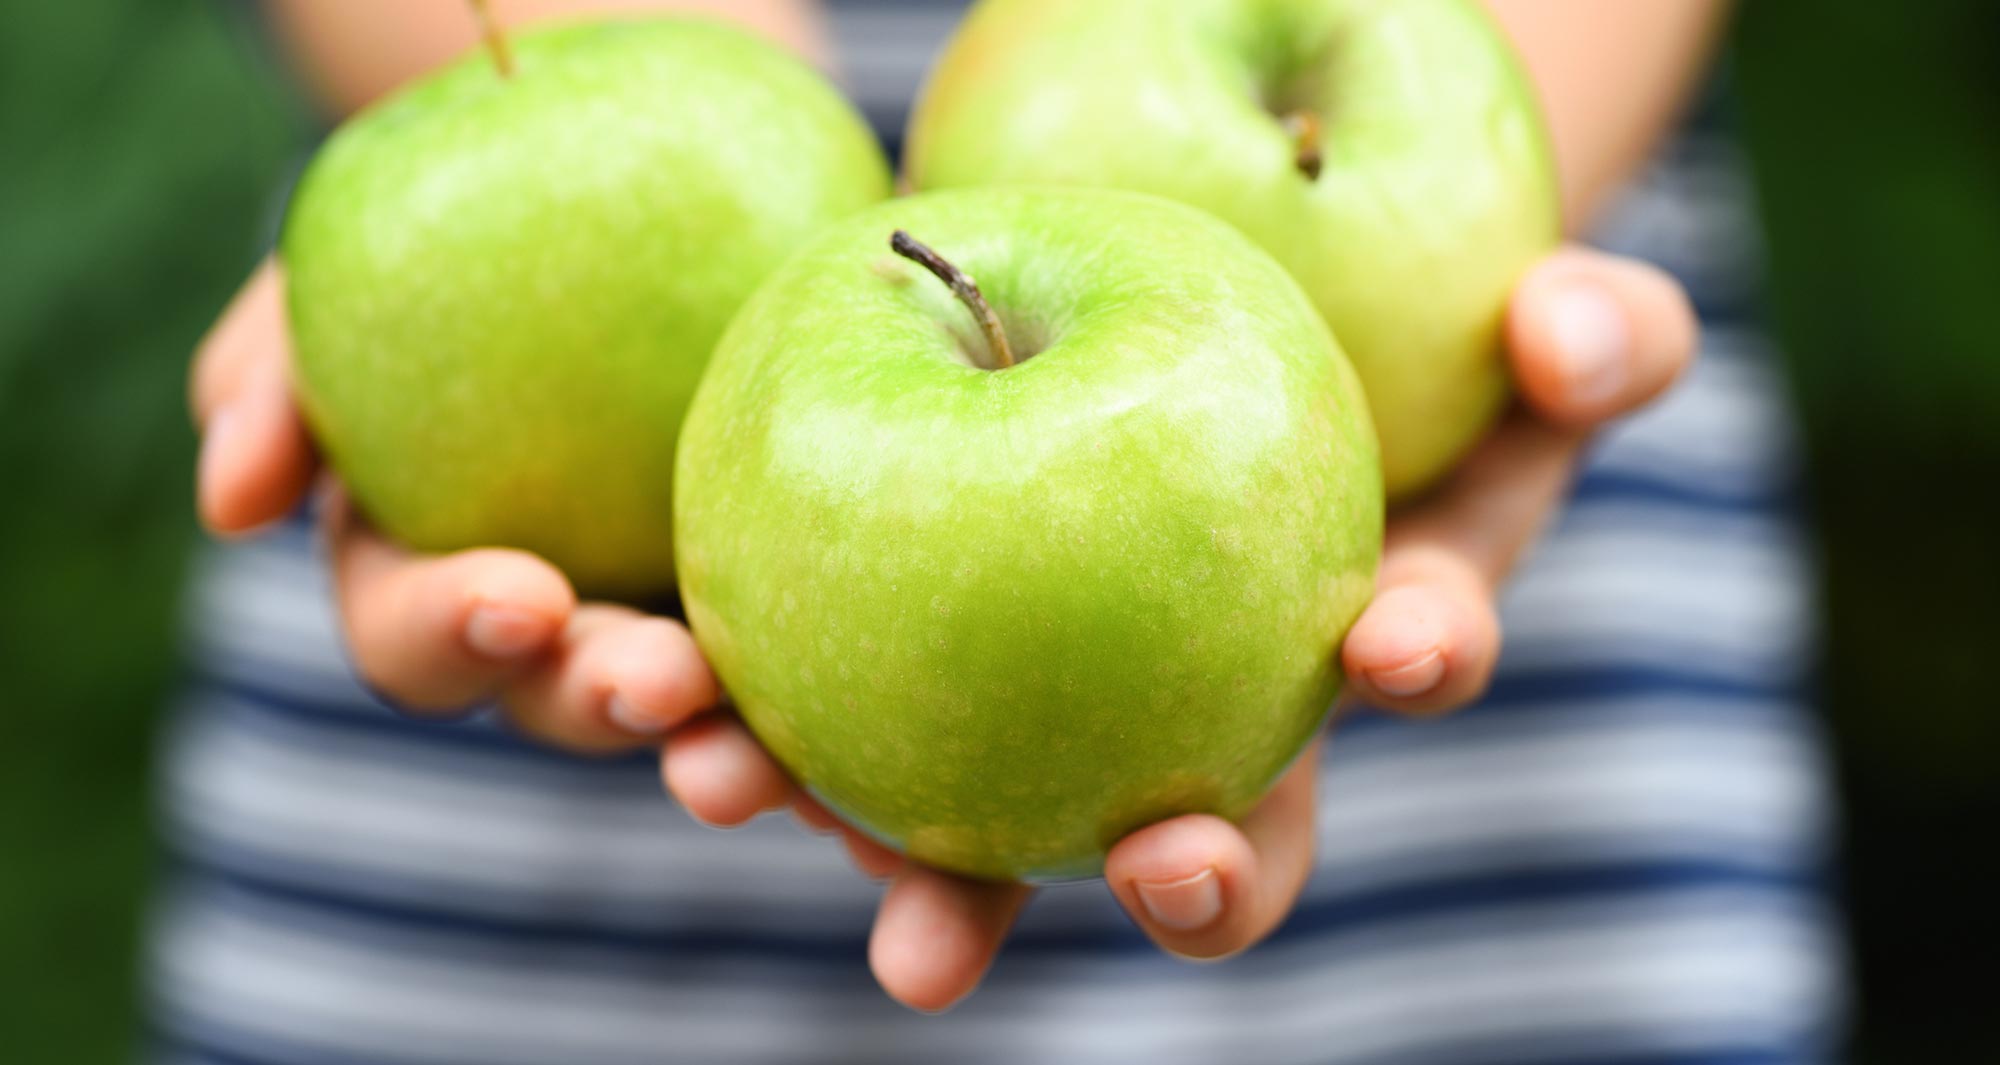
(143, 145)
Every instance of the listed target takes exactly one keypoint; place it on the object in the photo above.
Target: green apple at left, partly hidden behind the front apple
(503, 291)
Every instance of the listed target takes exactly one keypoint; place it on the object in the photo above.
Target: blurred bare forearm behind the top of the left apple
(353, 51)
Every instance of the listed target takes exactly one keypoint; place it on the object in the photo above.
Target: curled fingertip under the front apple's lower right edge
(1203, 888)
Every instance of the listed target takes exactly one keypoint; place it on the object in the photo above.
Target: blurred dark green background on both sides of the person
(141, 147)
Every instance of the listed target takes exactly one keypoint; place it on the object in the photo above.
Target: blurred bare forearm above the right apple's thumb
(1613, 77)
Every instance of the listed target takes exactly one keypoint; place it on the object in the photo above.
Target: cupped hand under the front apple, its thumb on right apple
(1589, 339)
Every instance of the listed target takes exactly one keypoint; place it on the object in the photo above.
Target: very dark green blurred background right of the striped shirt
(1877, 141)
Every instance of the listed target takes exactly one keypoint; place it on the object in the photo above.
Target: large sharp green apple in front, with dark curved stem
(999, 620)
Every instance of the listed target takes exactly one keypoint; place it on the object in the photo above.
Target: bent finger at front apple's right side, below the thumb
(1431, 638)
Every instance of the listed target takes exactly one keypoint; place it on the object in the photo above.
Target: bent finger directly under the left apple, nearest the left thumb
(439, 634)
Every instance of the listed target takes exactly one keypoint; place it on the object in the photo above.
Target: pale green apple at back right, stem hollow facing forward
(1437, 185)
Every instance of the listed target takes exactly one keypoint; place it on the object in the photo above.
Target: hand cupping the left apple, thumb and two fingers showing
(433, 634)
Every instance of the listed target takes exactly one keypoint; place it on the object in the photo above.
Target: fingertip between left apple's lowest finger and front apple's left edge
(615, 682)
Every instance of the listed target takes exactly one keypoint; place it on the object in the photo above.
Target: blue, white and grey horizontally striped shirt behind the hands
(1615, 860)
